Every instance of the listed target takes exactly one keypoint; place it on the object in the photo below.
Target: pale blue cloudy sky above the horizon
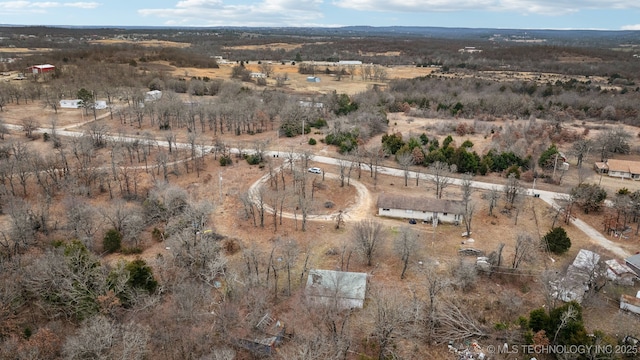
(503, 14)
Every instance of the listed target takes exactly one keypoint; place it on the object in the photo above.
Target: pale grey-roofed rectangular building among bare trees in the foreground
(346, 290)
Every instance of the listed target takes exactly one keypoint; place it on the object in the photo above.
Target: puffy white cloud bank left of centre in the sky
(259, 13)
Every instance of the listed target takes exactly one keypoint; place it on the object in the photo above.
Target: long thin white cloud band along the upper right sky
(540, 7)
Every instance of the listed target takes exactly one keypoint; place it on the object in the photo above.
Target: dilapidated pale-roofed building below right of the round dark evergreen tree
(577, 280)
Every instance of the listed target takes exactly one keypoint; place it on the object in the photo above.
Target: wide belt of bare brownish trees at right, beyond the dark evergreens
(433, 96)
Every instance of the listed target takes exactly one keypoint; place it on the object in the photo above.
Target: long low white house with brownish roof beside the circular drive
(420, 208)
